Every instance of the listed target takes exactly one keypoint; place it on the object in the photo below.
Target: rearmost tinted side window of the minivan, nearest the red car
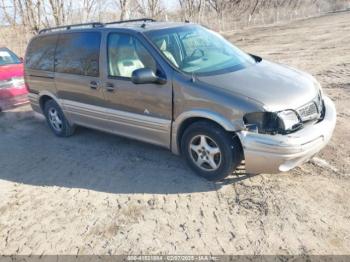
(41, 52)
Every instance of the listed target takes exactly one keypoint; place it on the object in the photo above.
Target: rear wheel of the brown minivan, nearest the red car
(56, 120)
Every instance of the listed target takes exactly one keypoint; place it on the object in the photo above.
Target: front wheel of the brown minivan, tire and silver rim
(221, 149)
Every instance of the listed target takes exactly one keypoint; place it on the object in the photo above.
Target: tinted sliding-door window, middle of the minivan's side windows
(78, 53)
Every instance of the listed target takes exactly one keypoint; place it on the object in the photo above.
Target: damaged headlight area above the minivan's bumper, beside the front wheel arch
(272, 123)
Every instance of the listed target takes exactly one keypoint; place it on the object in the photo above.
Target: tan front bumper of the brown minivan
(280, 153)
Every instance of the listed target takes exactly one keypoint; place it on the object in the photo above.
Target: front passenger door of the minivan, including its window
(141, 111)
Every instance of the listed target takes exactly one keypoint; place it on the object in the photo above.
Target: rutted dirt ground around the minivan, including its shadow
(96, 193)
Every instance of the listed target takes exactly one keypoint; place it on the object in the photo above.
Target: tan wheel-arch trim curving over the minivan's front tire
(225, 123)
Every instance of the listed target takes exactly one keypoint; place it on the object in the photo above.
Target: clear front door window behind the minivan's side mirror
(126, 54)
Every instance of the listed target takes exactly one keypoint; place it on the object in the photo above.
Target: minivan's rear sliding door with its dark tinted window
(77, 77)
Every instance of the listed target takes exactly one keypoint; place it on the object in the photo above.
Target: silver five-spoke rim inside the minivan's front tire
(205, 153)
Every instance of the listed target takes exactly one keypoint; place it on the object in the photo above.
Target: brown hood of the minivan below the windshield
(275, 86)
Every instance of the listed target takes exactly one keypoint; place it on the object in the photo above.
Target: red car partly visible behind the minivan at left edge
(13, 91)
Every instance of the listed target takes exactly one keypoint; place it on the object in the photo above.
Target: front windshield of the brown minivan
(194, 49)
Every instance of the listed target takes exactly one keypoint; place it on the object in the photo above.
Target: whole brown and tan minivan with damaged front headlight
(180, 86)
